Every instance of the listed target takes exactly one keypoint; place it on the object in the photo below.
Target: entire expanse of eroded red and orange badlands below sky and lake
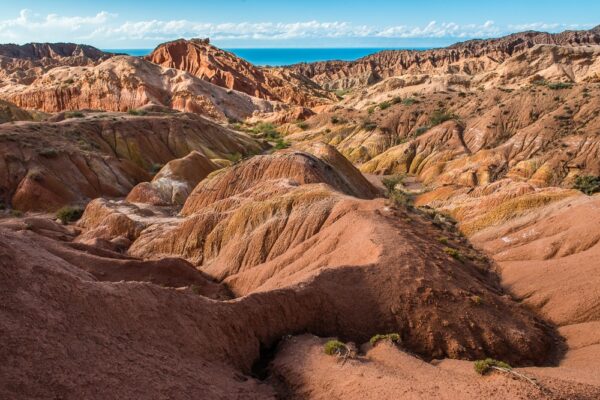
(217, 254)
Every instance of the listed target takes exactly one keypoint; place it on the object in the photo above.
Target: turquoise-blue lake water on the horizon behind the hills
(281, 56)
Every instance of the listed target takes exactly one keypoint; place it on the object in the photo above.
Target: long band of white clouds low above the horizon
(105, 27)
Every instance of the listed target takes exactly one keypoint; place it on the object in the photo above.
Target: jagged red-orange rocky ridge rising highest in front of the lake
(225, 69)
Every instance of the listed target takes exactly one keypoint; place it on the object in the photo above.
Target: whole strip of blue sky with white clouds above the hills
(131, 24)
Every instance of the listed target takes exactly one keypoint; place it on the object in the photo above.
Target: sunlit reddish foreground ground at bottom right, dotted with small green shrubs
(387, 372)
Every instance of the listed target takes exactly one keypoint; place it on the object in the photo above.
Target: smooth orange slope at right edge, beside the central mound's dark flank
(550, 258)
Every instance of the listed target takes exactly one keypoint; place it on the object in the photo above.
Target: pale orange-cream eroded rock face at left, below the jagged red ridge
(125, 83)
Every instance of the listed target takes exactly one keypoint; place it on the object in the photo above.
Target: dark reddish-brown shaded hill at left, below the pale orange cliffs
(51, 164)
